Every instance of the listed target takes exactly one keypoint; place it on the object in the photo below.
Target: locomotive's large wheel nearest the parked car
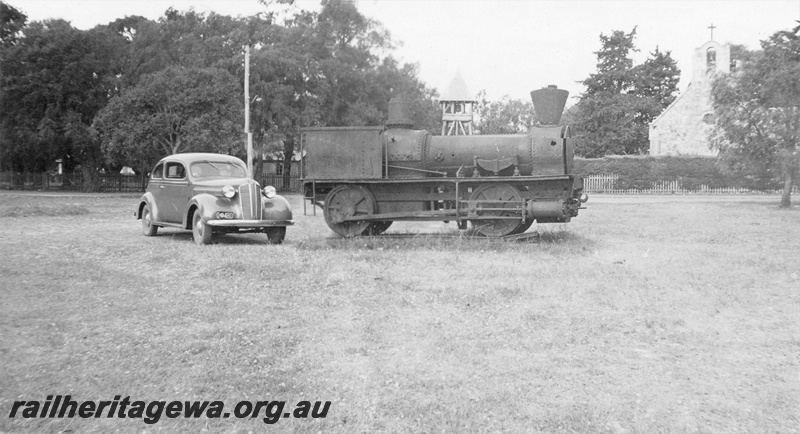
(348, 201)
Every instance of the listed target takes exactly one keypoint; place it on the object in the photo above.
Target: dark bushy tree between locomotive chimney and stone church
(613, 115)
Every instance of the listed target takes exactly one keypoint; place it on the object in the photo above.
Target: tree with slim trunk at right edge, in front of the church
(757, 109)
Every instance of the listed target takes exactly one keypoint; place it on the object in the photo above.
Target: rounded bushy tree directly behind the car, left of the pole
(171, 111)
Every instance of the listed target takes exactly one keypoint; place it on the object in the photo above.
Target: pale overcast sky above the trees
(505, 47)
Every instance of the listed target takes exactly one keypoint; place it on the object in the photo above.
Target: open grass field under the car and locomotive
(643, 315)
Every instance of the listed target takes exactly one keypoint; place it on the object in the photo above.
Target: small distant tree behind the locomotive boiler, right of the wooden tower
(507, 116)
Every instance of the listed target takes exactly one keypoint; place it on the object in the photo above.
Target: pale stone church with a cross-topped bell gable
(682, 129)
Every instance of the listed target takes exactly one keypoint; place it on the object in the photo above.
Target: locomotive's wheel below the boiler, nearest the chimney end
(499, 196)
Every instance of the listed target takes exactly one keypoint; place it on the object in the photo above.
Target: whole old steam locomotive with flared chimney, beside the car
(364, 178)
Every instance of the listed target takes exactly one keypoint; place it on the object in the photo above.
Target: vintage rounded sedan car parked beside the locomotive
(210, 194)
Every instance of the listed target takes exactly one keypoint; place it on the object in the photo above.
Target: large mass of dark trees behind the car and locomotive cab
(330, 68)
